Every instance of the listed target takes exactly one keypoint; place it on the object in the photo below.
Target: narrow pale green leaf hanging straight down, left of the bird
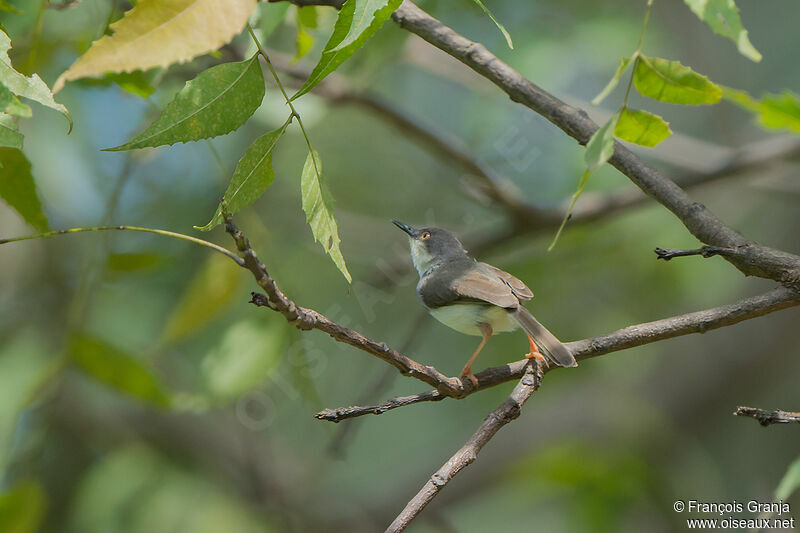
(318, 207)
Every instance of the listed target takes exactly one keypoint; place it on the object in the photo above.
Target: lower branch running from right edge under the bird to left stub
(622, 339)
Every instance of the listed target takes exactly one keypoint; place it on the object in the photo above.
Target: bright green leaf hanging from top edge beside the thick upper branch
(332, 56)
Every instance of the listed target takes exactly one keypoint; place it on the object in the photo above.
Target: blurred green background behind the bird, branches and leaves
(188, 409)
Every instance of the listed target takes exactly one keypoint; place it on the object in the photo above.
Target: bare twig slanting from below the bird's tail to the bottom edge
(505, 413)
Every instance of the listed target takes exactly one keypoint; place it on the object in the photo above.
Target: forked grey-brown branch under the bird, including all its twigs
(528, 372)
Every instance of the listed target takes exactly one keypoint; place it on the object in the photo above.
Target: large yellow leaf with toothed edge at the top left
(157, 33)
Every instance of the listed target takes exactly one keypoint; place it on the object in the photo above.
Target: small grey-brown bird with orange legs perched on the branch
(475, 298)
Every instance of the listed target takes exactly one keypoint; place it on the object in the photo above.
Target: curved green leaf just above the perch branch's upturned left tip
(253, 175)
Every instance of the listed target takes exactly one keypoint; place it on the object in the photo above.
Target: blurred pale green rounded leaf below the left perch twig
(247, 355)
